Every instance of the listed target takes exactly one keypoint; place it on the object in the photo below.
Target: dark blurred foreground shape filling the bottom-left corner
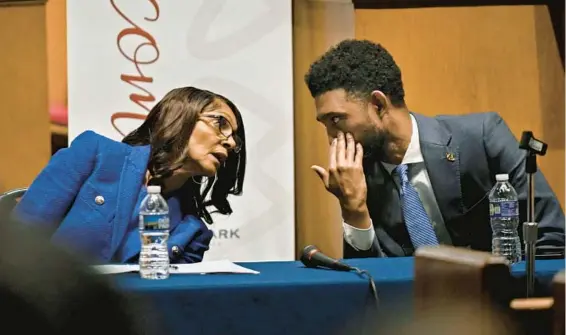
(48, 291)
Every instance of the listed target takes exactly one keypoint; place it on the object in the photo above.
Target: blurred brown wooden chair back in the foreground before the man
(461, 291)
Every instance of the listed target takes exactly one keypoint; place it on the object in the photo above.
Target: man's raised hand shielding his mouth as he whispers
(346, 180)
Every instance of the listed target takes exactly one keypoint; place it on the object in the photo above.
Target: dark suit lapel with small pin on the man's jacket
(442, 161)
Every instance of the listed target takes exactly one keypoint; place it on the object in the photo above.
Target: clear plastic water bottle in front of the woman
(154, 233)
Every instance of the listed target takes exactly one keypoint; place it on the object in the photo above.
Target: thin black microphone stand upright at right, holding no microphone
(533, 147)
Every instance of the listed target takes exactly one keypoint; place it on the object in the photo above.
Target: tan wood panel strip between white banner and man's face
(316, 26)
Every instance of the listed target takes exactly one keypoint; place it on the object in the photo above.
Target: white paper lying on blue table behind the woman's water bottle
(221, 266)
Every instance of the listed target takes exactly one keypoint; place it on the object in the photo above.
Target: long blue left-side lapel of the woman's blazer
(131, 180)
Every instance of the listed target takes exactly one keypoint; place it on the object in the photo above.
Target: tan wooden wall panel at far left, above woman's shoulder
(24, 119)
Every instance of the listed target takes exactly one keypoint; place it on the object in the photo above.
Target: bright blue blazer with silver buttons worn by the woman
(87, 196)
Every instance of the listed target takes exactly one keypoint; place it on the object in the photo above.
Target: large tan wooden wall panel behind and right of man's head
(473, 59)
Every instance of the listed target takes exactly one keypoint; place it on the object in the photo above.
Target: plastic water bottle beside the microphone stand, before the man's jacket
(504, 215)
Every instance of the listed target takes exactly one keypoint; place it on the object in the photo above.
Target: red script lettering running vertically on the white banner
(142, 96)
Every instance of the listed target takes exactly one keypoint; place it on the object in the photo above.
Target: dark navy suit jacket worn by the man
(483, 146)
